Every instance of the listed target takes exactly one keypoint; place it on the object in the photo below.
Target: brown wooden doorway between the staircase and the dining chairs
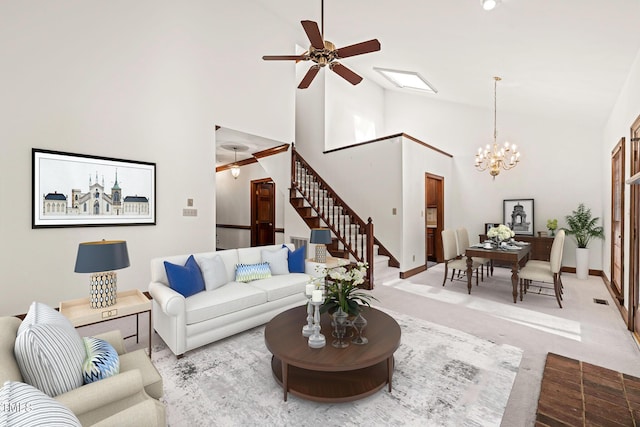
(434, 217)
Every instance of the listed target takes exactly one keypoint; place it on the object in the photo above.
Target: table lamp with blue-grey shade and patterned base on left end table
(100, 259)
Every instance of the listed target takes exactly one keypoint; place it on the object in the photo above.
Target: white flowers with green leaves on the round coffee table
(342, 291)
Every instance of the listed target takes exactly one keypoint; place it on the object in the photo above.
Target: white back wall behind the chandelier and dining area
(560, 165)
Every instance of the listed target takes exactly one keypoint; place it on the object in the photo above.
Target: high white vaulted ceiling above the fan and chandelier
(567, 58)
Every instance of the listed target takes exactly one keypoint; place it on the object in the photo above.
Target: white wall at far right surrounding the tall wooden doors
(624, 113)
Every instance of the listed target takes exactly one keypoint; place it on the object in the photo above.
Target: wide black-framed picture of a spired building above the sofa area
(79, 190)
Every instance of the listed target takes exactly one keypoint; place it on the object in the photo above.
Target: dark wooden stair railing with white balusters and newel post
(355, 235)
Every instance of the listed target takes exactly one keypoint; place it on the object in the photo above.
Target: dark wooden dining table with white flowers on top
(514, 254)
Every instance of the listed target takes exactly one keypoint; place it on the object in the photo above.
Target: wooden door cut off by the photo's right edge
(633, 321)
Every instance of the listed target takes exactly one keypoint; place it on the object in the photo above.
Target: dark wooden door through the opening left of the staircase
(263, 212)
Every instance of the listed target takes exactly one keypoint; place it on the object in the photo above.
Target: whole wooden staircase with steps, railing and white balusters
(319, 206)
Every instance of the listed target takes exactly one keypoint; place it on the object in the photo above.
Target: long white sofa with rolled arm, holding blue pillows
(210, 315)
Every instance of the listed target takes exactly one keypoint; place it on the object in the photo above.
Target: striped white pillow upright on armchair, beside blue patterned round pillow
(49, 351)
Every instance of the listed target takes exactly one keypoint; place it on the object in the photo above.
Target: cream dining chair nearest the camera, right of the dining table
(540, 272)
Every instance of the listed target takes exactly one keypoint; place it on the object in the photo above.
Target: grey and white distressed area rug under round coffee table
(443, 377)
